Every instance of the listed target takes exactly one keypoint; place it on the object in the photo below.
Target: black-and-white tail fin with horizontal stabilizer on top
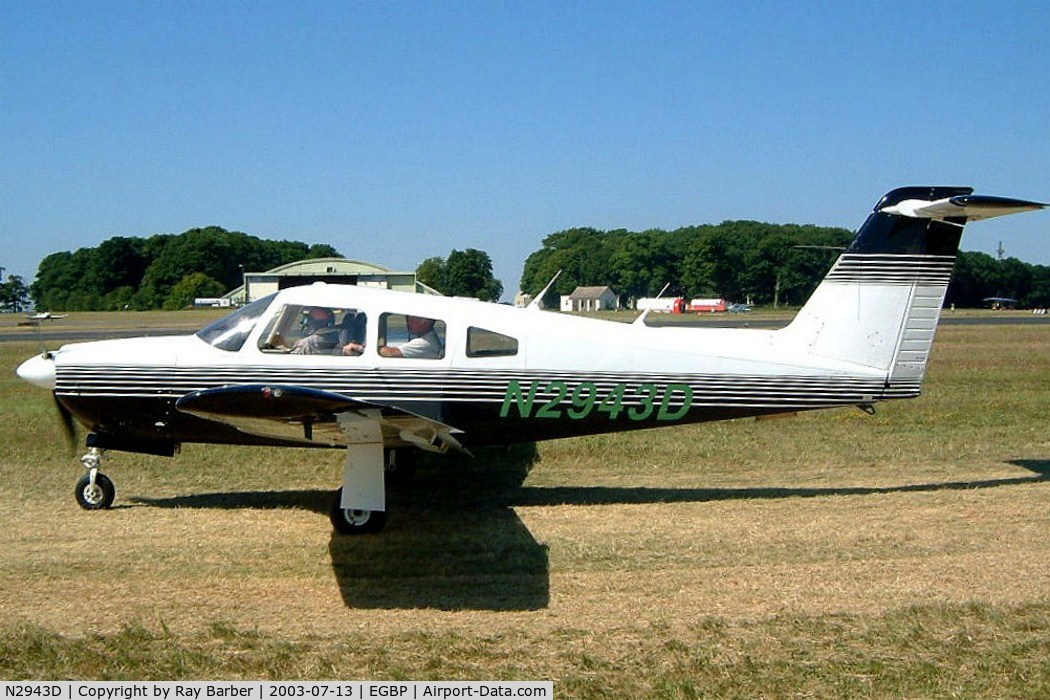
(880, 304)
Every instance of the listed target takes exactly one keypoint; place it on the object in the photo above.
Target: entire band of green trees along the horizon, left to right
(762, 264)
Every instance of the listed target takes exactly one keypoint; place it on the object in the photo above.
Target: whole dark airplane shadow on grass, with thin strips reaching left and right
(455, 542)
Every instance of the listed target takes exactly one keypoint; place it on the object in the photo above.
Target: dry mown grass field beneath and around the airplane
(829, 555)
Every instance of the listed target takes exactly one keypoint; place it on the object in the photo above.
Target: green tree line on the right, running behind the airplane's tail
(753, 262)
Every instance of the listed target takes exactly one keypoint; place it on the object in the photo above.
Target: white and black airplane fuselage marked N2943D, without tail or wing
(547, 376)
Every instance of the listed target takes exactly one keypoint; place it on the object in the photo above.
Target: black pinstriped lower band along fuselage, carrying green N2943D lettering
(492, 407)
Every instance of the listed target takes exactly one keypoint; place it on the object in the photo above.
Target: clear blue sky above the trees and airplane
(401, 131)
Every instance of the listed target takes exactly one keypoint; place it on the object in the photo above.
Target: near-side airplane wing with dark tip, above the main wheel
(312, 417)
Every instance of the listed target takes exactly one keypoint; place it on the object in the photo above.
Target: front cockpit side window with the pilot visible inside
(306, 330)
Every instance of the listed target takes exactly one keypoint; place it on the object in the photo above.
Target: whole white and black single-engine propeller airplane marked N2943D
(376, 372)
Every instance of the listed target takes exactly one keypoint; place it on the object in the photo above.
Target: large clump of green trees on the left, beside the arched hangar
(162, 271)
